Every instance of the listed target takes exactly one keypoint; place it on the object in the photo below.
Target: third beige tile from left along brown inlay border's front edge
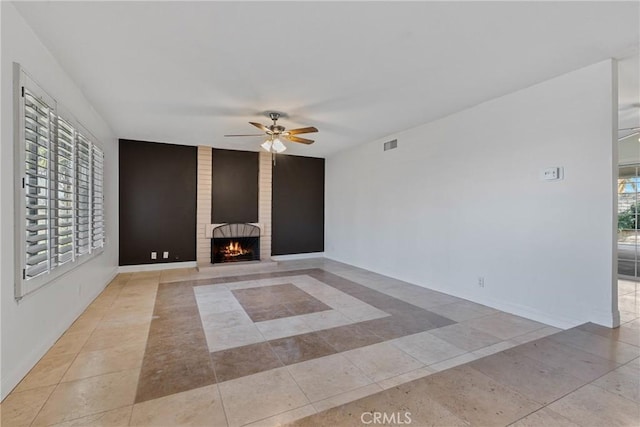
(328, 376)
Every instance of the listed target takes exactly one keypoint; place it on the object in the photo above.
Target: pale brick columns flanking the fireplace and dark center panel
(203, 221)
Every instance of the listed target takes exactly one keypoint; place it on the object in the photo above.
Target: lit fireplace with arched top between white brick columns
(235, 243)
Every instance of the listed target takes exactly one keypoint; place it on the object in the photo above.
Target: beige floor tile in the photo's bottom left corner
(20, 409)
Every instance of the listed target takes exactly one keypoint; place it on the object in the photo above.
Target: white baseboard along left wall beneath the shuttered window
(11, 379)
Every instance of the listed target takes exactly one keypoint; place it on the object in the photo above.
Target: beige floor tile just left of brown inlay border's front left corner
(89, 396)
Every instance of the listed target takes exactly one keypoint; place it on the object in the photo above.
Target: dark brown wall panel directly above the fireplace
(234, 192)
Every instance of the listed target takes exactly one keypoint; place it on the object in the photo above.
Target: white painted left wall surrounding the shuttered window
(30, 327)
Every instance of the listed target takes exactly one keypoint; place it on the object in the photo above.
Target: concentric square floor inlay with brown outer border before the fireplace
(220, 330)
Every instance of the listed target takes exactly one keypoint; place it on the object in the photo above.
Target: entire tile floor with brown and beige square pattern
(316, 342)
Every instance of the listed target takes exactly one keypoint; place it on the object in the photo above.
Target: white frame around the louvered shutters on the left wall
(23, 285)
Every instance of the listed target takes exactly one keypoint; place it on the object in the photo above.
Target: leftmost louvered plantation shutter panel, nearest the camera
(39, 130)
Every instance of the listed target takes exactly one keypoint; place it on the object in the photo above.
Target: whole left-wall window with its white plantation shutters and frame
(59, 193)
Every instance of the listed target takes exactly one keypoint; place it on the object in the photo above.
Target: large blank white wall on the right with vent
(461, 198)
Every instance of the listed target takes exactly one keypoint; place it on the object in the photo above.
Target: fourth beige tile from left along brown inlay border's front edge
(381, 361)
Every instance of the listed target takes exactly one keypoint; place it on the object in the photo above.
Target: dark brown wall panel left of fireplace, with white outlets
(158, 184)
